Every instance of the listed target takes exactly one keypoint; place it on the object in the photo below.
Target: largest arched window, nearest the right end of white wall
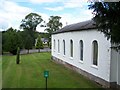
(95, 52)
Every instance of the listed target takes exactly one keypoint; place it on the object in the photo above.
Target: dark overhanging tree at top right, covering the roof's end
(107, 18)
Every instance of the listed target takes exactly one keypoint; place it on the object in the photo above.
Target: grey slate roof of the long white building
(86, 25)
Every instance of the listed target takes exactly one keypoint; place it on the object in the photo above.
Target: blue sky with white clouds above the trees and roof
(71, 11)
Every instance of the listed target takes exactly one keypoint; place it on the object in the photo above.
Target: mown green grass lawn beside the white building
(30, 73)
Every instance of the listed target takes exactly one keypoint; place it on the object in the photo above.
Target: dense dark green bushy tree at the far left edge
(11, 40)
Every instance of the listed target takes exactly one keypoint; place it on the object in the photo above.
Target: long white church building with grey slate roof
(86, 50)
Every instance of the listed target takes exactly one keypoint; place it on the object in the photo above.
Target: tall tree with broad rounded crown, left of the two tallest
(30, 23)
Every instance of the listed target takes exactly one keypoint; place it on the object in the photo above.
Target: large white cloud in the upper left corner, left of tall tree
(12, 14)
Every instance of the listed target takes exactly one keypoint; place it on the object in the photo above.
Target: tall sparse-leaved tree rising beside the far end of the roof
(53, 25)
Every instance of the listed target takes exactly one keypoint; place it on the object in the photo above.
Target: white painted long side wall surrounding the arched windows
(88, 36)
